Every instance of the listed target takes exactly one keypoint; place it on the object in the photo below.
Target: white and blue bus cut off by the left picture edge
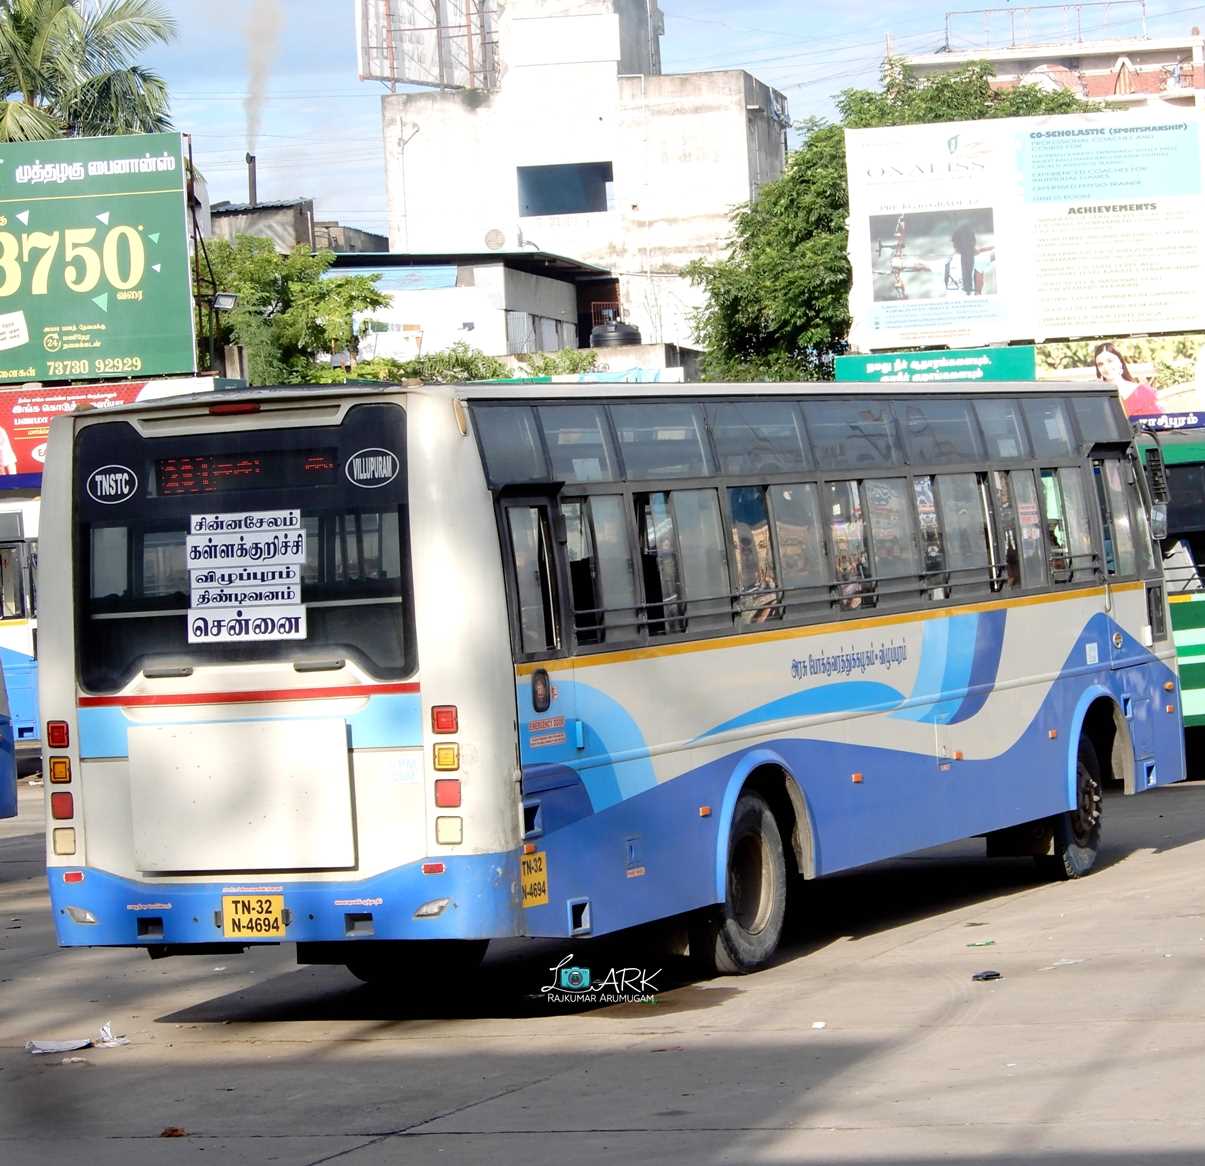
(19, 620)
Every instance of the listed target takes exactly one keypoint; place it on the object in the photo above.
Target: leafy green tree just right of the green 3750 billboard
(289, 311)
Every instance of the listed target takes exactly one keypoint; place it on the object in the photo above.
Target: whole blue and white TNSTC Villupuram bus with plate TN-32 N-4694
(391, 673)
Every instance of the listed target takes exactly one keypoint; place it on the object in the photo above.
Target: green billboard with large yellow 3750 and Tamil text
(95, 276)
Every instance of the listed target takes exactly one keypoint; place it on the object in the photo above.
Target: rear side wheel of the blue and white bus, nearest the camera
(743, 933)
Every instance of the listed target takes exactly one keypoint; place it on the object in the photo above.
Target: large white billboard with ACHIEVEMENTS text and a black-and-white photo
(1026, 229)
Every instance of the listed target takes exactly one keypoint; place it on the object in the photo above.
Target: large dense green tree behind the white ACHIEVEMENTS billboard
(779, 308)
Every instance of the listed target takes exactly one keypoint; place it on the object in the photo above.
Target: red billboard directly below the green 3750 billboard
(27, 413)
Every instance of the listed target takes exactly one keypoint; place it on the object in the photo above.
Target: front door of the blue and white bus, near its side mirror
(1136, 613)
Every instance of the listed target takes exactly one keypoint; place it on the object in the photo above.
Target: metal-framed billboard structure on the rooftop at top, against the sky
(448, 44)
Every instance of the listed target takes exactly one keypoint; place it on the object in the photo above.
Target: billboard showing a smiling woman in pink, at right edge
(1161, 380)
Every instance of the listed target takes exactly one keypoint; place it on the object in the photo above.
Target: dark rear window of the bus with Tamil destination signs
(333, 497)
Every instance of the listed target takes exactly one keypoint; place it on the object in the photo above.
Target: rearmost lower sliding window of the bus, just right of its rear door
(602, 574)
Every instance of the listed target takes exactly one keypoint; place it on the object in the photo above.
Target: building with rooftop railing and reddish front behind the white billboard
(1069, 48)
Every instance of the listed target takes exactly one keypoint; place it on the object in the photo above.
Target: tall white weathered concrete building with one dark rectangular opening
(581, 148)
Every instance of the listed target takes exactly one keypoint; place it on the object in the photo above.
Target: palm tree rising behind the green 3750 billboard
(68, 68)
